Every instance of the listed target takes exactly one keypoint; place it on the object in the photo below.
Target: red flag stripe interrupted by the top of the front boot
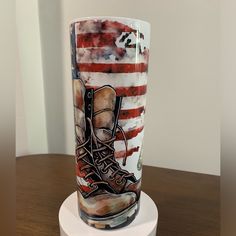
(127, 91)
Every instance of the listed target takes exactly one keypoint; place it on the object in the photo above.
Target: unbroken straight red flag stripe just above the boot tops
(112, 68)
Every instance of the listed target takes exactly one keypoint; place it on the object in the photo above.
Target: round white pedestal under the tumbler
(144, 224)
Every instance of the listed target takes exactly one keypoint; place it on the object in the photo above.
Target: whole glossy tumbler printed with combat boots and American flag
(109, 73)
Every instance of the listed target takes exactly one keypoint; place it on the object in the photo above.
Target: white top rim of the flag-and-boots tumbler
(109, 17)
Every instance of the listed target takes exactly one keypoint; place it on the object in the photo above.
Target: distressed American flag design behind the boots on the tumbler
(112, 52)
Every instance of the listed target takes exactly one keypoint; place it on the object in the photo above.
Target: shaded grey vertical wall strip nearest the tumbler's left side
(51, 41)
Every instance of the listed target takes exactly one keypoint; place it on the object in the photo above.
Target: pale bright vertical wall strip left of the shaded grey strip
(27, 19)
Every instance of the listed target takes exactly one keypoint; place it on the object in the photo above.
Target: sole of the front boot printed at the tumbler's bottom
(116, 221)
